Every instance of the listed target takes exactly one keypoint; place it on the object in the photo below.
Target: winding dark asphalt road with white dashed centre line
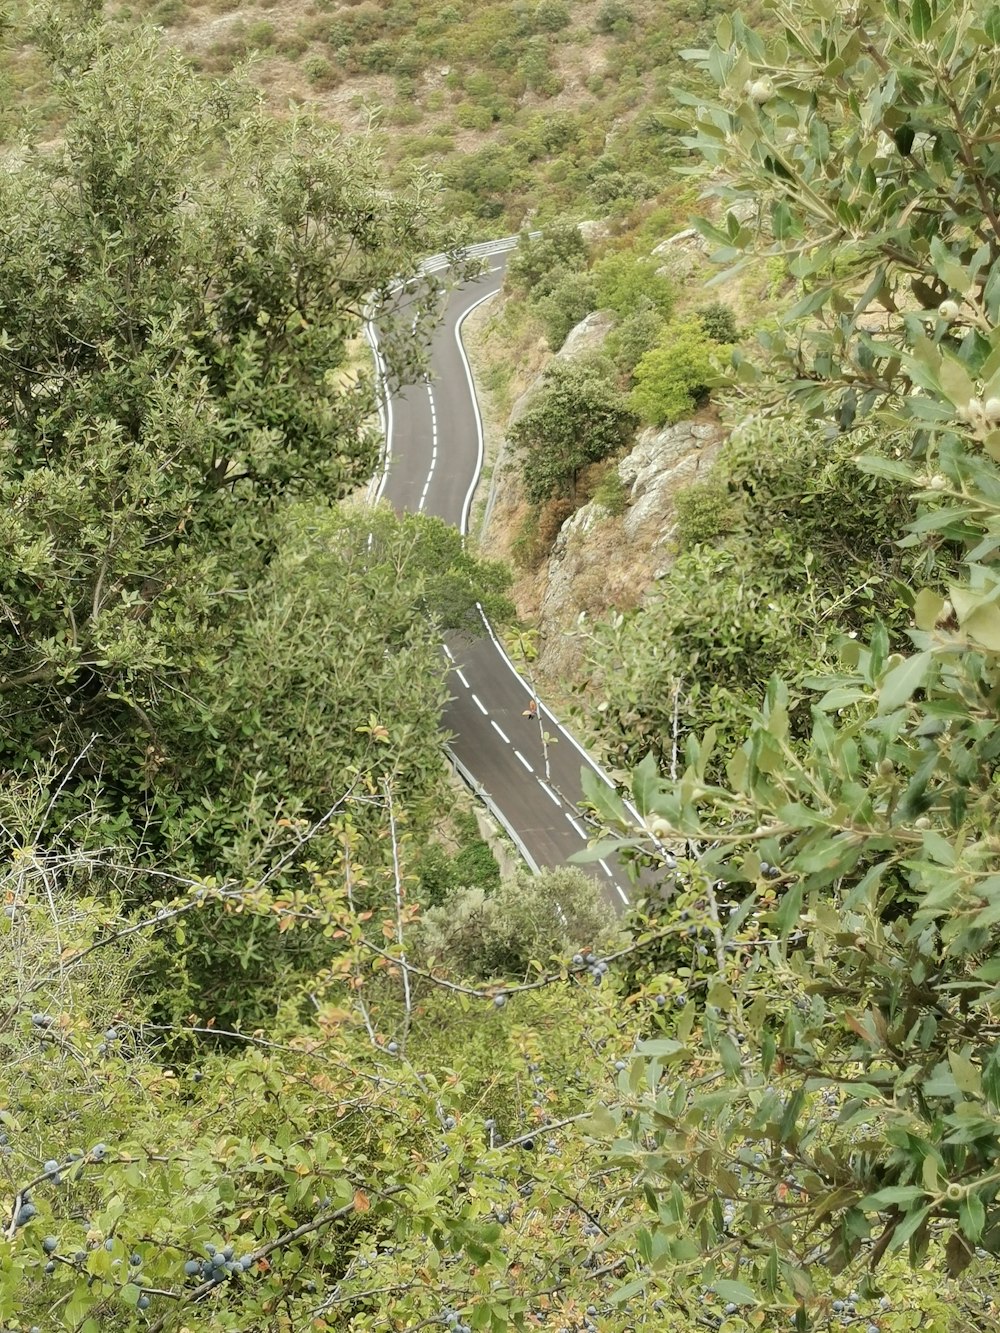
(433, 465)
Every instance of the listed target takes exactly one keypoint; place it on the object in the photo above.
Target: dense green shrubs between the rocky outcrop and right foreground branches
(782, 551)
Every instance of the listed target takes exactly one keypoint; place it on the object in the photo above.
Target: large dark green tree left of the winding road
(182, 278)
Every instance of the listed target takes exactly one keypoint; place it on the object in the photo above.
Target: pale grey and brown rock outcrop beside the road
(603, 562)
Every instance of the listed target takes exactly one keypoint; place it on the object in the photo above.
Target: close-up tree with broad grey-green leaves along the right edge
(831, 1098)
